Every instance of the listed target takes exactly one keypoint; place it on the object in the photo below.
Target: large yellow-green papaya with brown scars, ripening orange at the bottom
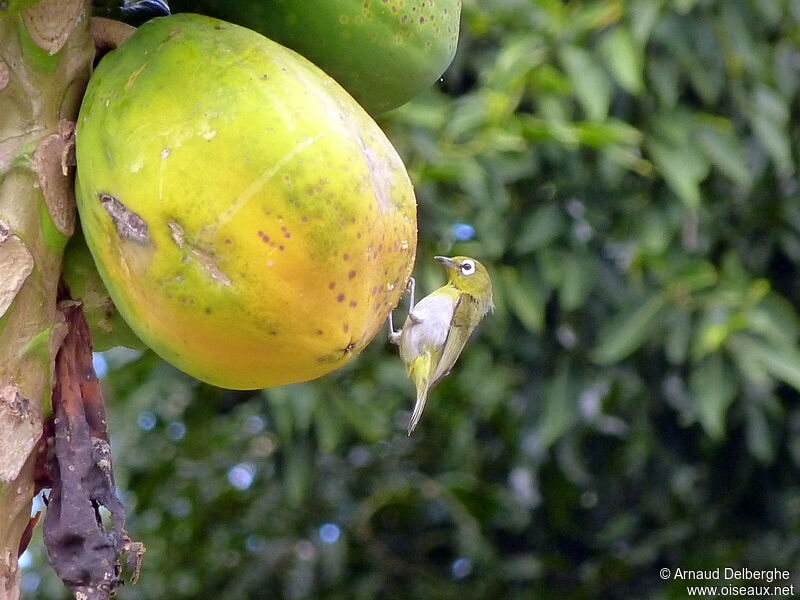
(251, 222)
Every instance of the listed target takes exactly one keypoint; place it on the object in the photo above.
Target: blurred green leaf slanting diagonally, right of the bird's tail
(629, 330)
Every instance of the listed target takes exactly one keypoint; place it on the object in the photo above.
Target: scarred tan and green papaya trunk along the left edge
(45, 61)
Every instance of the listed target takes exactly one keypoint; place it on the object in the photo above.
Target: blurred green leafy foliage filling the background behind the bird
(630, 172)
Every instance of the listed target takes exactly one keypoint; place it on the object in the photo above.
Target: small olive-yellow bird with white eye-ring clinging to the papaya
(438, 326)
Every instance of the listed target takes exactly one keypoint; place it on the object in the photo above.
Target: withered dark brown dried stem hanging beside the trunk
(83, 551)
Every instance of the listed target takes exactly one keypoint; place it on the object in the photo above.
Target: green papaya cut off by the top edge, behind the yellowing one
(384, 52)
